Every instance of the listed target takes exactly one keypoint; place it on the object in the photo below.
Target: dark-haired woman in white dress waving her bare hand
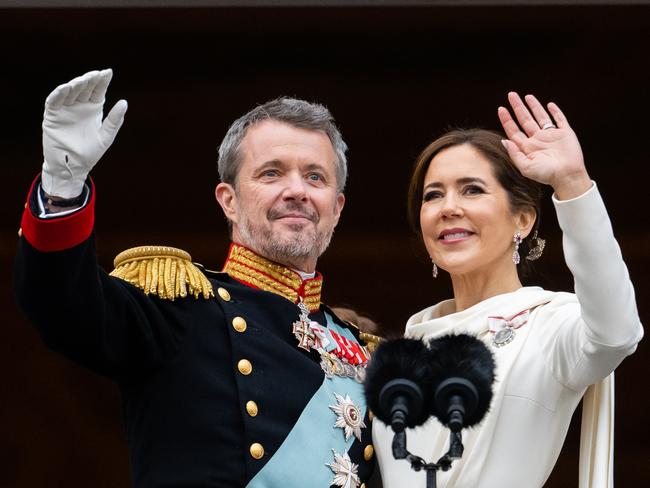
(475, 198)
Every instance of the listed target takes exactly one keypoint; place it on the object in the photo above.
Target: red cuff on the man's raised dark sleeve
(57, 234)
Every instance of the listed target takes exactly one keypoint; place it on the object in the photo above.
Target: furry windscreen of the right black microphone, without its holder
(466, 357)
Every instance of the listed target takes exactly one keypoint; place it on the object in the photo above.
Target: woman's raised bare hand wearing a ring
(547, 150)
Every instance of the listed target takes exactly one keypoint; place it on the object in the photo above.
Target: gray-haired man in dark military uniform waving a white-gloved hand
(234, 378)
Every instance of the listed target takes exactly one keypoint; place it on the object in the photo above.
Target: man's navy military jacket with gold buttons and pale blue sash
(213, 388)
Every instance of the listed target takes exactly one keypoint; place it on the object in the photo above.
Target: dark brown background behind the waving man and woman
(394, 78)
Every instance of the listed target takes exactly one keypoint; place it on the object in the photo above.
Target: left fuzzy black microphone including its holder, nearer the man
(397, 379)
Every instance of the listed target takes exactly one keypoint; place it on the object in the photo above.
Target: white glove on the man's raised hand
(74, 136)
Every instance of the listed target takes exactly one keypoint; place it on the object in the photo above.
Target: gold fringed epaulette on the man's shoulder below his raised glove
(166, 272)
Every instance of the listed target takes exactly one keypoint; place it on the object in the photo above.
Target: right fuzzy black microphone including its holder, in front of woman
(463, 375)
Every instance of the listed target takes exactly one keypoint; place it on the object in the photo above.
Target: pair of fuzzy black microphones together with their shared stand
(408, 381)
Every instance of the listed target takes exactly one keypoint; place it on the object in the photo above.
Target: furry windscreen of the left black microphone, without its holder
(398, 359)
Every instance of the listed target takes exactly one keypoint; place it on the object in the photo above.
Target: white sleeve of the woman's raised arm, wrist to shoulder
(593, 335)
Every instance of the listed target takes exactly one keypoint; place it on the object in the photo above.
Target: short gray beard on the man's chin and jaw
(304, 245)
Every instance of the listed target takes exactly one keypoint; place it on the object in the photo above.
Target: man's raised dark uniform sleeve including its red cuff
(79, 310)
